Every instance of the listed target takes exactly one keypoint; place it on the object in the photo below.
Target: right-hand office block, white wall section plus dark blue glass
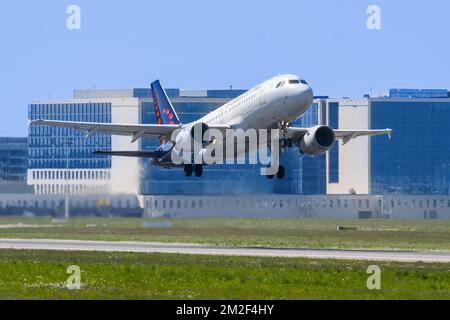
(415, 161)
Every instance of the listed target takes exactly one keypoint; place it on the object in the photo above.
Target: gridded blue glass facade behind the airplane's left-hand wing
(49, 147)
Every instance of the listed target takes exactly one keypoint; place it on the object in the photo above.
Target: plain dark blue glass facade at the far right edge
(417, 158)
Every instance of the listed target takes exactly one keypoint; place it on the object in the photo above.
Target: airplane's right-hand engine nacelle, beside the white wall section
(317, 141)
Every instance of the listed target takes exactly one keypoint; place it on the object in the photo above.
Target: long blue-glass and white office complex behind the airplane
(415, 161)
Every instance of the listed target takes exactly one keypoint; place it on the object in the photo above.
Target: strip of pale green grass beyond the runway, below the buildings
(295, 233)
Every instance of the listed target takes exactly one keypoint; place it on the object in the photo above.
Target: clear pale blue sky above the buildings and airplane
(214, 44)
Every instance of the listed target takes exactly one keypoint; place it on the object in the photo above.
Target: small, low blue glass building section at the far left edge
(13, 159)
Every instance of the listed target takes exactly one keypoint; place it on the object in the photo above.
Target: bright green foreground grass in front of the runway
(42, 275)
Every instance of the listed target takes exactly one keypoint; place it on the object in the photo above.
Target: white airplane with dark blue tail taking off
(271, 105)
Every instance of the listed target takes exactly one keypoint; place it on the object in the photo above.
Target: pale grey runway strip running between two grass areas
(177, 248)
